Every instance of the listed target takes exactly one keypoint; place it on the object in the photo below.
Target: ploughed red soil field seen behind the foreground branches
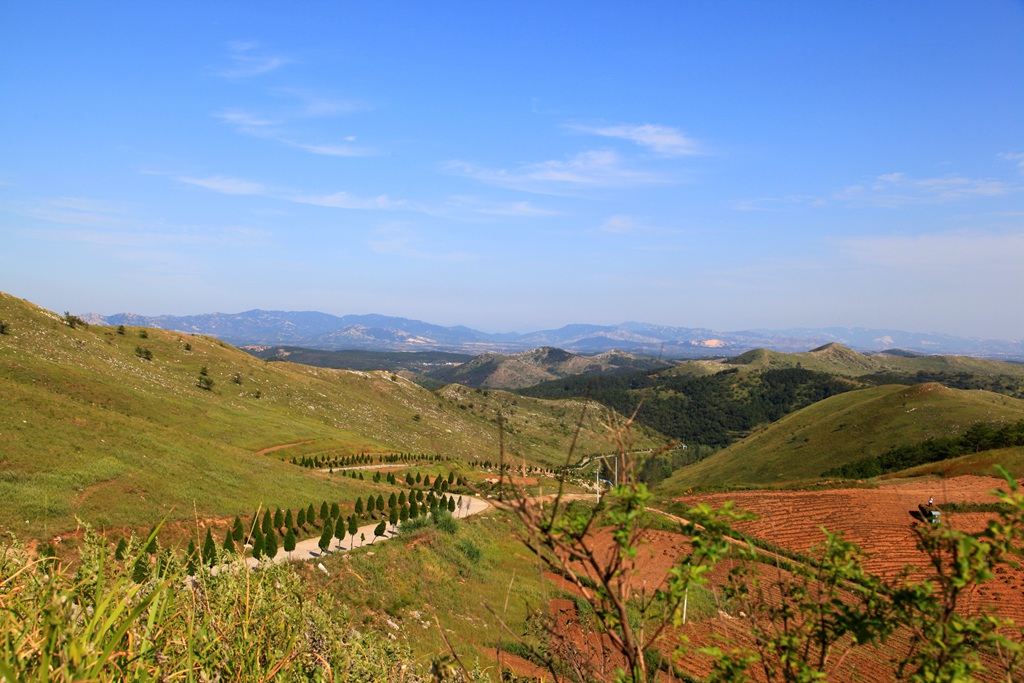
(878, 520)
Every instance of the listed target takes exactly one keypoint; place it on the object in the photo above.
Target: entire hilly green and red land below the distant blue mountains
(137, 458)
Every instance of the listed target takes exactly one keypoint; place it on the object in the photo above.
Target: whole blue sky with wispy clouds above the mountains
(521, 166)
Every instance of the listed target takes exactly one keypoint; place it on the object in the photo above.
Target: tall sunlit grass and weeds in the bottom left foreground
(146, 619)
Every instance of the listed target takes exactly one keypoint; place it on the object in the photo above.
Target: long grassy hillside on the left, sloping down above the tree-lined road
(93, 430)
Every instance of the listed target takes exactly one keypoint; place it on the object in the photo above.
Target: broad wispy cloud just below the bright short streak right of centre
(592, 169)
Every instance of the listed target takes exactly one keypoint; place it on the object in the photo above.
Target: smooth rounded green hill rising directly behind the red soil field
(843, 430)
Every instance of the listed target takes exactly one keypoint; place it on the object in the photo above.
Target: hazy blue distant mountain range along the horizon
(323, 331)
